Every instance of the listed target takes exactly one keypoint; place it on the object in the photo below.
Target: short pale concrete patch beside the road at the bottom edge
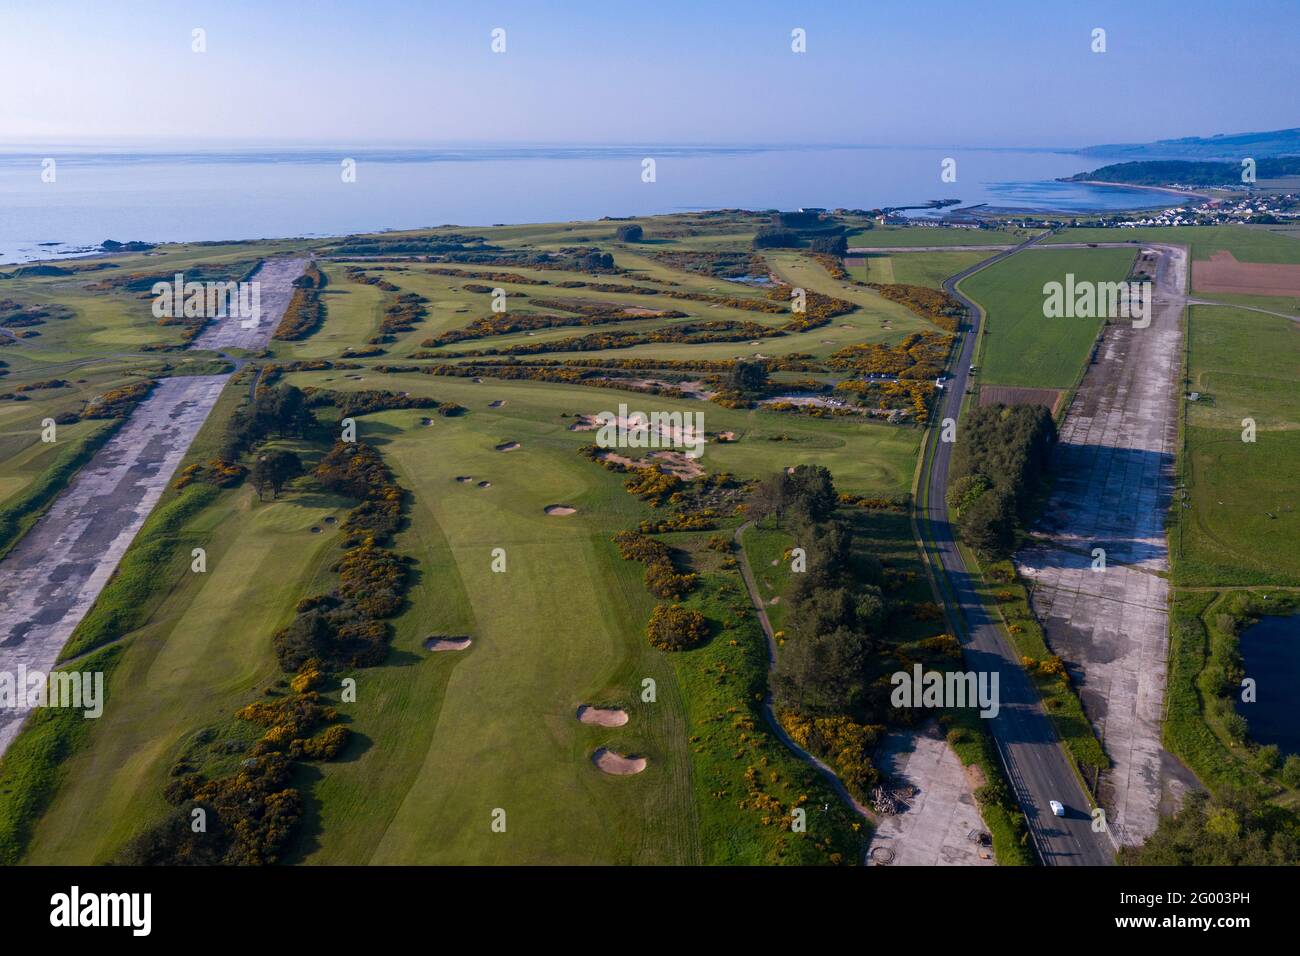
(937, 828)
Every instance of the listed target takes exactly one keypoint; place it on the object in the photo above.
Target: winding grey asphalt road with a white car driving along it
(1035, 764)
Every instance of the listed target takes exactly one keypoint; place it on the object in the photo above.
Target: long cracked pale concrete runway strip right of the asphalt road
(1113, 475)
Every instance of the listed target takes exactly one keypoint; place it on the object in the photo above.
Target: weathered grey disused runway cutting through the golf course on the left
(50, 581)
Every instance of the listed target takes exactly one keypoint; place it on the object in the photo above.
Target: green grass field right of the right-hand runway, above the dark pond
(1246, 366)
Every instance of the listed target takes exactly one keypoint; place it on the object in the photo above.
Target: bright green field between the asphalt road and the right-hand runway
(1019, 344)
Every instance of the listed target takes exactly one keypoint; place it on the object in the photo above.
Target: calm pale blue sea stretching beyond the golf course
(120, 194)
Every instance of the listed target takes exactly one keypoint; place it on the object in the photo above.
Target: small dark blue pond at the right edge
(1271, 651)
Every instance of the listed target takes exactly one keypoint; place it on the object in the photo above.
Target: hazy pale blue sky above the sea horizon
(877, 72)
